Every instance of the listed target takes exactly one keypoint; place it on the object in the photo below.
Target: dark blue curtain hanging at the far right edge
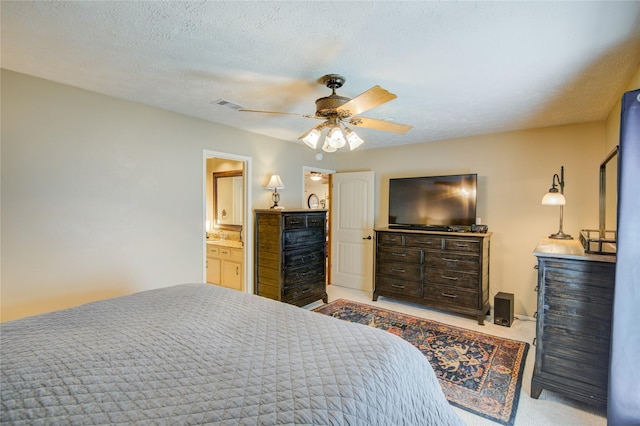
(624, 369)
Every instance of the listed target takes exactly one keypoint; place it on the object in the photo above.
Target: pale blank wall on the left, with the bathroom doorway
(103, 197)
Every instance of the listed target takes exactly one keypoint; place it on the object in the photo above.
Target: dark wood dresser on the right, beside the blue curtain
(573, 328)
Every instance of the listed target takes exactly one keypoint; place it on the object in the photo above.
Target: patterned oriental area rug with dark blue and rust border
(478, 372)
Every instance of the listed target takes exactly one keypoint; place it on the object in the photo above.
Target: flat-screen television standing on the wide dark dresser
(430, 202)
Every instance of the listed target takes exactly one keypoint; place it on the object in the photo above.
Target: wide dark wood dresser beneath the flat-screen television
(444, 270)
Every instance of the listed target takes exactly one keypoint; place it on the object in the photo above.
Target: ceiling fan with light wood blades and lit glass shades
(337, 111)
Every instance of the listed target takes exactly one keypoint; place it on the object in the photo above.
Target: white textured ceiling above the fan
(458, 68)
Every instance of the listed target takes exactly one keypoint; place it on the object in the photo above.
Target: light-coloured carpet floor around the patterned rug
(549, 409)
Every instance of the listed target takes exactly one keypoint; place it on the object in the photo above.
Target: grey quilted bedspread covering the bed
(198, 354)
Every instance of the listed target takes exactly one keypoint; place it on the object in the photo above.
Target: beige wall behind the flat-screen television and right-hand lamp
(514, 172)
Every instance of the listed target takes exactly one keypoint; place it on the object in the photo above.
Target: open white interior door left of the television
(352, 230)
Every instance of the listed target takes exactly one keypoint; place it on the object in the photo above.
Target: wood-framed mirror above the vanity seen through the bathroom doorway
(227, 200)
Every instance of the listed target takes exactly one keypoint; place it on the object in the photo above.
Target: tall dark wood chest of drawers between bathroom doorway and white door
(291, 255)
